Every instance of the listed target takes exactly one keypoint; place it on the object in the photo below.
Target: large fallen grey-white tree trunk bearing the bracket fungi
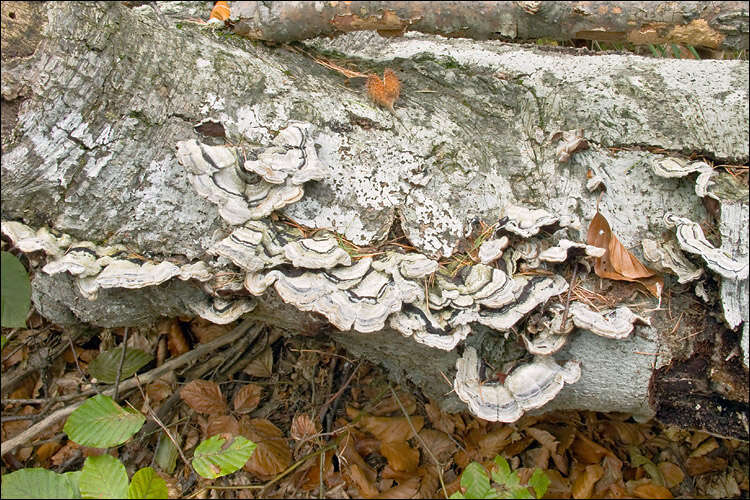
(102, 101)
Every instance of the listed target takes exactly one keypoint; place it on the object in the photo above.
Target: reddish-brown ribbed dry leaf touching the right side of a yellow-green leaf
(272, 455)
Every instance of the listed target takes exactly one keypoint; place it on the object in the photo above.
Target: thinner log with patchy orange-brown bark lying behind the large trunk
(701, 24)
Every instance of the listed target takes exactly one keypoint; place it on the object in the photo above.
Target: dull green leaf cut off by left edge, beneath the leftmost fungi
(15, 292)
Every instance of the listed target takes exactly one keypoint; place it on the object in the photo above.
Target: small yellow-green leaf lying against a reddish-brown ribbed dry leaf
(211, 461)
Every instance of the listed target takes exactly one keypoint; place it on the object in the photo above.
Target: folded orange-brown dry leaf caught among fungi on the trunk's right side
(618, 263)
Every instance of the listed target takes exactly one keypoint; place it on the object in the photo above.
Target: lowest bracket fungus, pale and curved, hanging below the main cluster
(528, 387)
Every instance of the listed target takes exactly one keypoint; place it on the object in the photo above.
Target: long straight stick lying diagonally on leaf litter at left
(10, 445)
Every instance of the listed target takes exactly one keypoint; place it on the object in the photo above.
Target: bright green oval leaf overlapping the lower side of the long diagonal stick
(101, 423)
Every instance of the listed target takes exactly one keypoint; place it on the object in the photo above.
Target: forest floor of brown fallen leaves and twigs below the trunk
(301, 398)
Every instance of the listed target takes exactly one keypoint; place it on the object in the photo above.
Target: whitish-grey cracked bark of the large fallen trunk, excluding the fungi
(91, 154)
